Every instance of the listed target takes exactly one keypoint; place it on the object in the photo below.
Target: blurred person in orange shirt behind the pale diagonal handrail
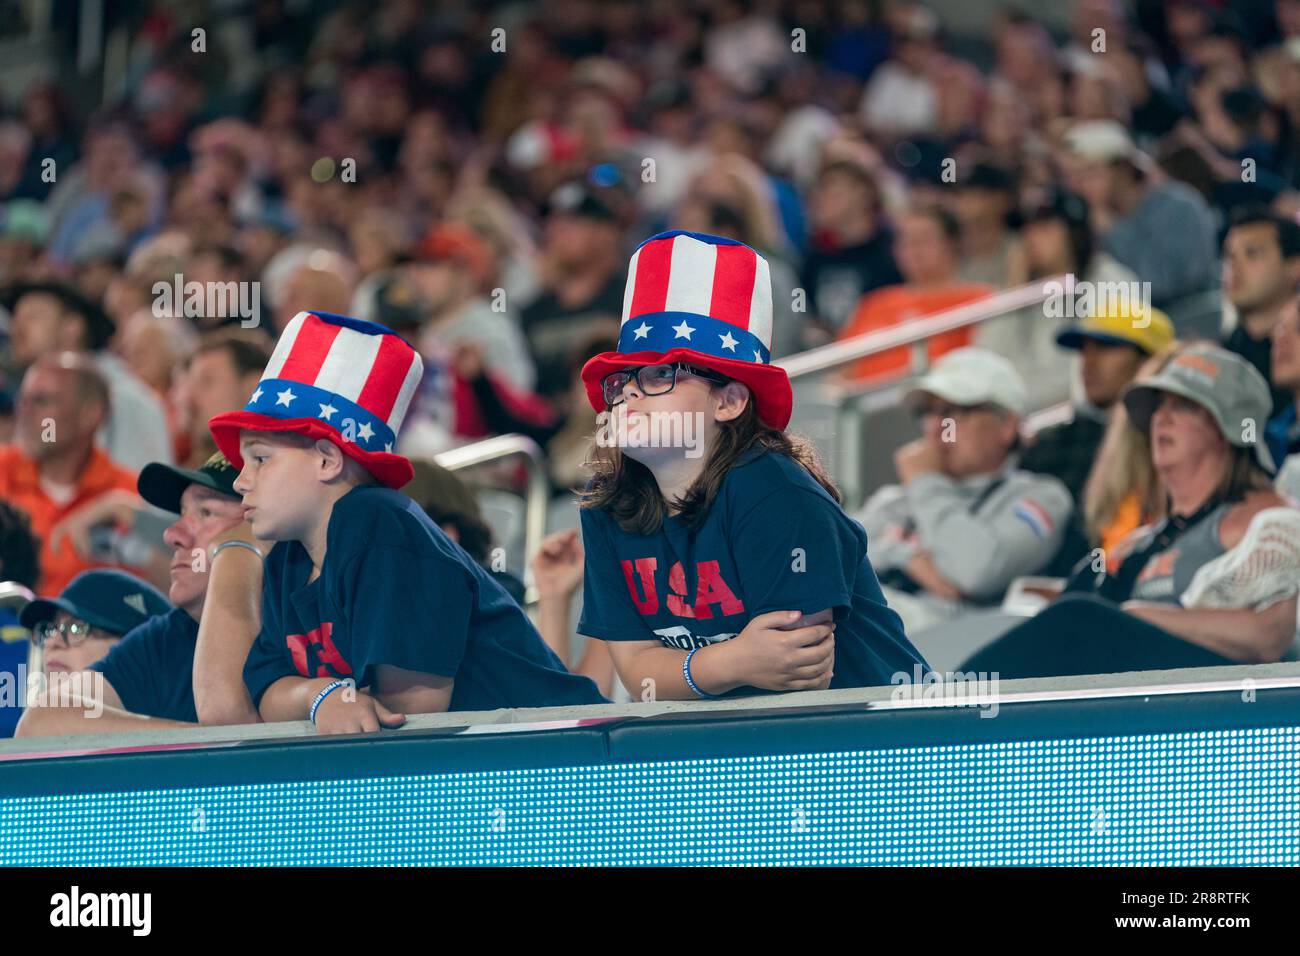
(929, 256)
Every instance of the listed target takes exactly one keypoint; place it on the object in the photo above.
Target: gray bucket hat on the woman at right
(1225, 384)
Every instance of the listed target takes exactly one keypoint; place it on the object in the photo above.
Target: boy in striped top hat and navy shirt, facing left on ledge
(370, 611)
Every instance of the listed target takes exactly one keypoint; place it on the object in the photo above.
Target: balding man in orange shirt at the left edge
(54, 468)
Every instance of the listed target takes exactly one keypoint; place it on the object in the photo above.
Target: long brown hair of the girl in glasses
(629, 491)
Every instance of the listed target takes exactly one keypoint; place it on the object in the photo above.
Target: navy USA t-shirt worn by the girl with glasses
(774, 540)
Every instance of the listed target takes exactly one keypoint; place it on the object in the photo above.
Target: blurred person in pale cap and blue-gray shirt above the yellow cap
(1162, 231)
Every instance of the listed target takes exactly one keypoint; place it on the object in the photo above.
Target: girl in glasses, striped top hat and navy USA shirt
(718, 559)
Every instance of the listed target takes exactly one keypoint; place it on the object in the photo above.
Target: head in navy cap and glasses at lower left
(89, 618)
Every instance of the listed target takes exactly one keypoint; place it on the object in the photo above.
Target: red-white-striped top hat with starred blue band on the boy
(333, 378)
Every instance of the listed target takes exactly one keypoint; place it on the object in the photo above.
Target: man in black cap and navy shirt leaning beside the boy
(170, 672)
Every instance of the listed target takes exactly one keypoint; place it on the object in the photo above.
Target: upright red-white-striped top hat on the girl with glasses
(705, 301)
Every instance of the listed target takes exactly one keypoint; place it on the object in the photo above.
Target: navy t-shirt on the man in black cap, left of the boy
(153, 667)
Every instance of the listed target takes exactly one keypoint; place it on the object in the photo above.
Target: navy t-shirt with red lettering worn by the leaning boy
(397, 591)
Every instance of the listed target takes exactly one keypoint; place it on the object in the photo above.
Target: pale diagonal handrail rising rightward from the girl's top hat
(916, 332)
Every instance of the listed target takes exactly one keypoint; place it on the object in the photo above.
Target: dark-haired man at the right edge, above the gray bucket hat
(1262, 271)
